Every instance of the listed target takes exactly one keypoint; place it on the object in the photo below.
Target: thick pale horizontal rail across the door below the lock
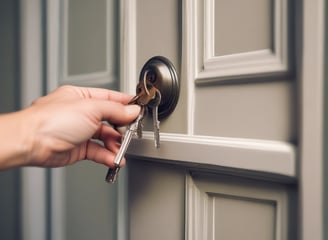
(267, 157)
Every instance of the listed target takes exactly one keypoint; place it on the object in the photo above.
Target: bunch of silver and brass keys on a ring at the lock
(147, 96)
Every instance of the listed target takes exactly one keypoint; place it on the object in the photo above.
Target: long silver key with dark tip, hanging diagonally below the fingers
(130, 132)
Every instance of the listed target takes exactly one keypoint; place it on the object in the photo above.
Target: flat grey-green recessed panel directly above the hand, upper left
(86, 44)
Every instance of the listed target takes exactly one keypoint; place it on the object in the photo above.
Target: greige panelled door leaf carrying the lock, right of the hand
(226, 168)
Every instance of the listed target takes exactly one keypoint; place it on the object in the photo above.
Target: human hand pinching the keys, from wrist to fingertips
(65, 123)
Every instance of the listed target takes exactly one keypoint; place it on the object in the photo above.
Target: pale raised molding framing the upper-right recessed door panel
(200, 24)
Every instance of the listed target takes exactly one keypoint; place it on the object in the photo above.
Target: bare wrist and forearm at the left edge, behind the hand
(15, 139)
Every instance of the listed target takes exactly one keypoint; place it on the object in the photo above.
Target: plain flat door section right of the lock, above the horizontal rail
(264, 110)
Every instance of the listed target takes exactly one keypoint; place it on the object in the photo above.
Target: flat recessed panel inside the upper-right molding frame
(249, 28)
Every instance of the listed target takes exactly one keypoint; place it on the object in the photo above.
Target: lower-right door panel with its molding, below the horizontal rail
(230, 207)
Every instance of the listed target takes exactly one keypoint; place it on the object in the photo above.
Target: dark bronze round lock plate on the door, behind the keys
(161, 73)
